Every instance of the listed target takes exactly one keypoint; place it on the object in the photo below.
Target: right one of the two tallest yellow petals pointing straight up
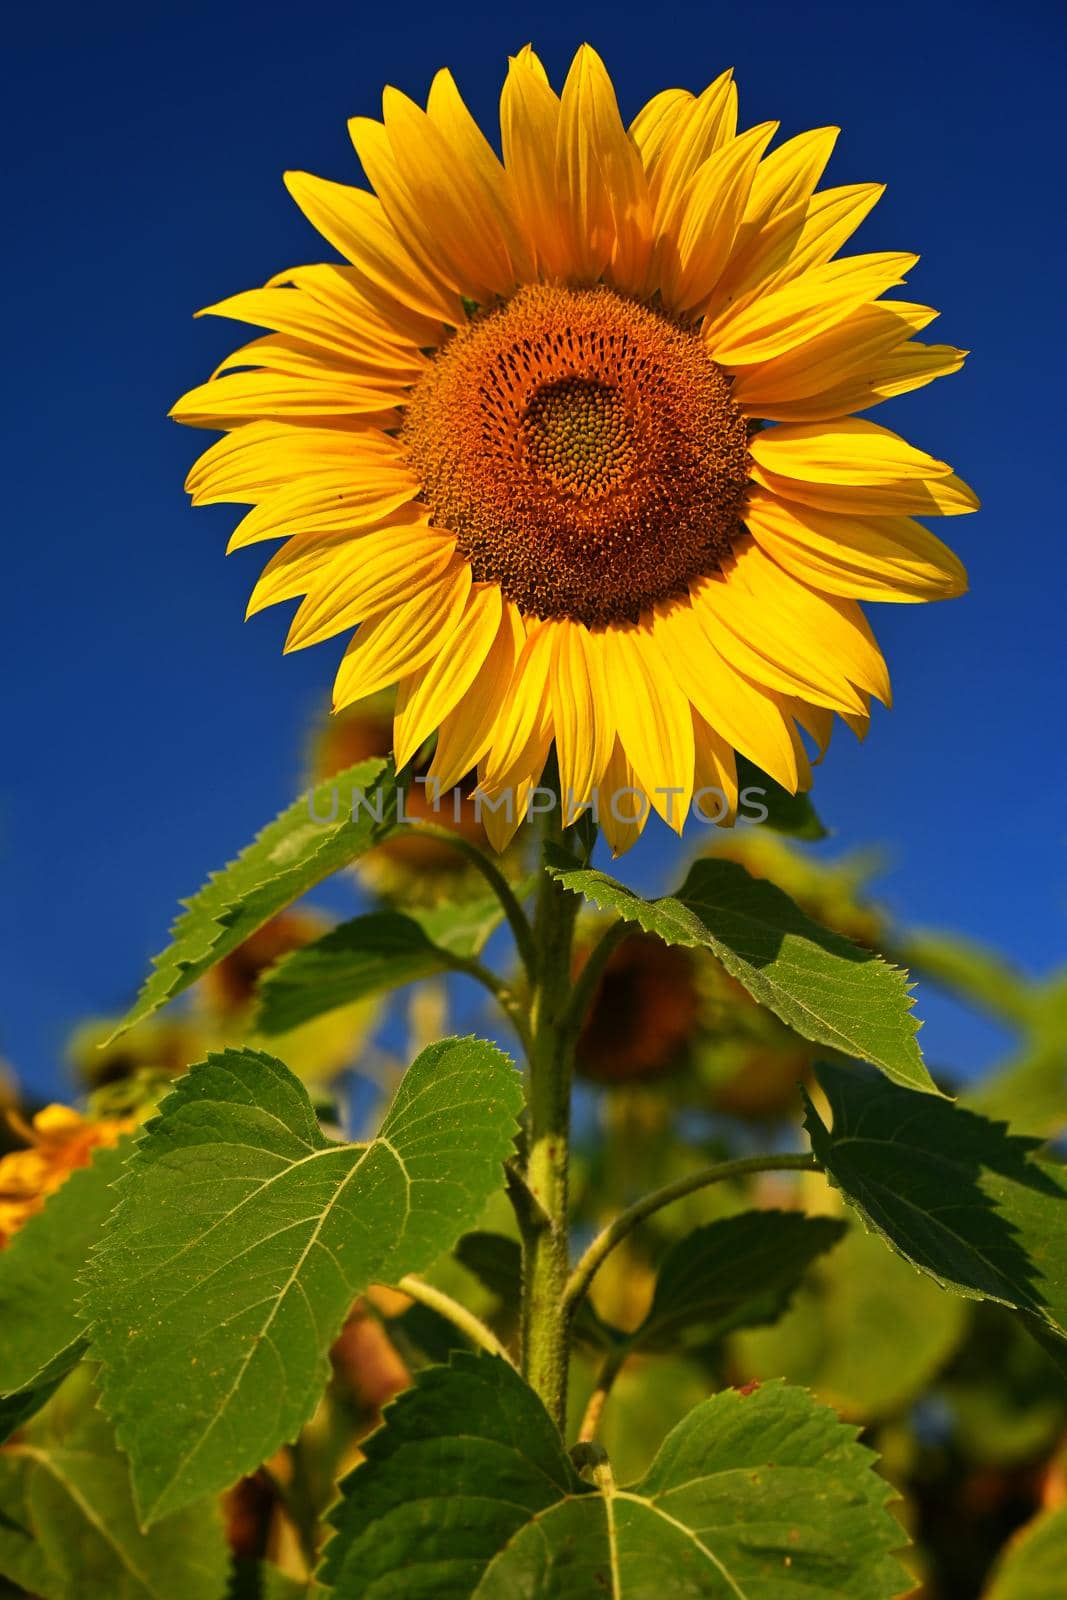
(604, 194)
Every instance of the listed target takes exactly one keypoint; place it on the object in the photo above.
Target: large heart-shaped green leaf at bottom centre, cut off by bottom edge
(468, 1492)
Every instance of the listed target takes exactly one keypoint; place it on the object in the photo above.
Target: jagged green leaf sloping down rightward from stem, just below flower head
(821, 985)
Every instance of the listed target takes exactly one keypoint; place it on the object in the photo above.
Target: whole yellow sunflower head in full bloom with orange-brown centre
(518, 442)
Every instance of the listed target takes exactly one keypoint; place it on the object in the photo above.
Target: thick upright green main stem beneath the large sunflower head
(546, 1254)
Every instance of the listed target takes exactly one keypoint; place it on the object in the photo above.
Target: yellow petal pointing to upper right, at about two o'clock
(783, 319)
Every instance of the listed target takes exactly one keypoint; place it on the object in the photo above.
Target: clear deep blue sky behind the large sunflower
(150, 732)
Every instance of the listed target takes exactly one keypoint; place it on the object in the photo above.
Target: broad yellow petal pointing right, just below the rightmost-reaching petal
(863, 558)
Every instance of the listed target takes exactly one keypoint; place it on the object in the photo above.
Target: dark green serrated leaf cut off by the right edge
(956, 1194)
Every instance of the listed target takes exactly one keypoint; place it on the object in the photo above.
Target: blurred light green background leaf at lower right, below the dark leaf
(866, 1332)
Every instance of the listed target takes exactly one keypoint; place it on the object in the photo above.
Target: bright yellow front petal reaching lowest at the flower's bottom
(653, 718)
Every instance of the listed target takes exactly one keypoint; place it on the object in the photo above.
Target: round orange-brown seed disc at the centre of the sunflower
(585, 450)
